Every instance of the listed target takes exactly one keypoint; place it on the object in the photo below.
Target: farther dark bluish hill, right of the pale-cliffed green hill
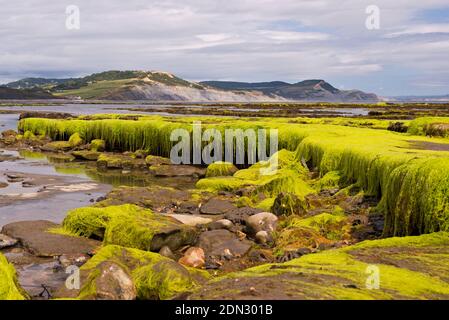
(308, 90)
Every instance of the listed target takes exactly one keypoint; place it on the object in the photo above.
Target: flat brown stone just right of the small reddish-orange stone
(217, 243)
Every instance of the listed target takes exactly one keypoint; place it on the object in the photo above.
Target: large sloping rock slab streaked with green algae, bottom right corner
(394, 268)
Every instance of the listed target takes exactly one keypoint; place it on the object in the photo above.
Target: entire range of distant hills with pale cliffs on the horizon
(164, 86)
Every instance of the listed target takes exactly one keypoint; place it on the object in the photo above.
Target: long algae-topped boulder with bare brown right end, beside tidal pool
(129, 226)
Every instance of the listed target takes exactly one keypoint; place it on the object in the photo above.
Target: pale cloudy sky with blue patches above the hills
(243, 40)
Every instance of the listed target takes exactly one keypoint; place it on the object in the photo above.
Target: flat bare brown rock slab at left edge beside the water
(34, 236)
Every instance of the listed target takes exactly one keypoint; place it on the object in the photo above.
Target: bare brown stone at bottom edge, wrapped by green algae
(114, 283)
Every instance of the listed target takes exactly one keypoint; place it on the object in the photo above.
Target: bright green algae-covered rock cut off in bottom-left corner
(9, 288)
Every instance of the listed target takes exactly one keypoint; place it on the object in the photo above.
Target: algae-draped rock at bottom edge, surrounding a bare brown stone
(154, 276)
